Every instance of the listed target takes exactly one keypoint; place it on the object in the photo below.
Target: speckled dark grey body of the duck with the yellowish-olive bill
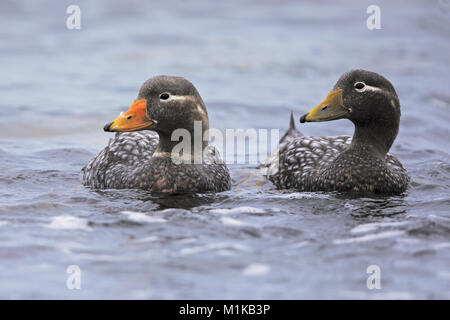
(324, 164)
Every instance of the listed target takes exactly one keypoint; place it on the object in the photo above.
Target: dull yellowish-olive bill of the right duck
(332, 108)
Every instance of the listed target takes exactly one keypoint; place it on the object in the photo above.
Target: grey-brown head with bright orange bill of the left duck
(164, 104)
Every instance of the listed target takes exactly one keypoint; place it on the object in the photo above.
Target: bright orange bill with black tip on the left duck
(136, 118)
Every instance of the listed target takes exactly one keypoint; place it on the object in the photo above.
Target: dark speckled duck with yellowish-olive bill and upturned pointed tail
(356, 164)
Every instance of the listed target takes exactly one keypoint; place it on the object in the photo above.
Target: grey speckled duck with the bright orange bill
(147, 151)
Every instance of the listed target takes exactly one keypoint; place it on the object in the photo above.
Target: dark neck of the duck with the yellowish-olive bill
(375, 137)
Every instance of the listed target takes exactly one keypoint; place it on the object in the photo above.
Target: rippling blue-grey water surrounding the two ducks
(252, 62)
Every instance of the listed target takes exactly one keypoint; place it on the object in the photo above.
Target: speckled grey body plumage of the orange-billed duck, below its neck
(128, 162)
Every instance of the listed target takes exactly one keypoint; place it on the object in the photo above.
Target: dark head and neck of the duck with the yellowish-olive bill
(368, 100)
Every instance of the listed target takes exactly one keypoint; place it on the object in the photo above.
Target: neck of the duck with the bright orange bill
(188, 143)
